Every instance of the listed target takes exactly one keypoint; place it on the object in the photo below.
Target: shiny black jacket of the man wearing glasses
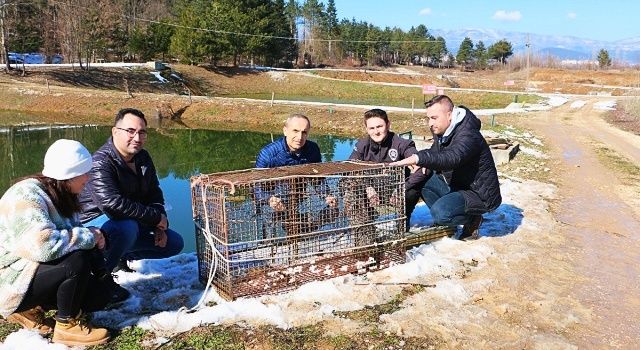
(115, 190)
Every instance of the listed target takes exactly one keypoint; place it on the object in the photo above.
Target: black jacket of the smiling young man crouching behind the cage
(392, 148)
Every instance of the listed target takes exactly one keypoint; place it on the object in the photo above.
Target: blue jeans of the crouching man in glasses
(128, 239)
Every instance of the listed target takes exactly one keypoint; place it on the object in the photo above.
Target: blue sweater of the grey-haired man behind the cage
(277, 154)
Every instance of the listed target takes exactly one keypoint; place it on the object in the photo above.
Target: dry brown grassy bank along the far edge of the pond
(35, 103)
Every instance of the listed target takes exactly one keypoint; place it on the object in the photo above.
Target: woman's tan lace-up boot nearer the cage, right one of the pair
(76, 331)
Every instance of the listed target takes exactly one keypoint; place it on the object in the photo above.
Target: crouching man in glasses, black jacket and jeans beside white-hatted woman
(124, 198)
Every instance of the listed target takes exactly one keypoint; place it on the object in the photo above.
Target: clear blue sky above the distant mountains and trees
(608, 20)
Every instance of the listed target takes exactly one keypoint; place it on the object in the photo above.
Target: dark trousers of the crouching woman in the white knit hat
(68, 284)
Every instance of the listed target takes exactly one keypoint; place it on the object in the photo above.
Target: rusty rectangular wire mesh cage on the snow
(262, 231)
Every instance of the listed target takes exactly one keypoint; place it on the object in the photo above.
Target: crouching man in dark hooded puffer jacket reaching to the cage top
(463, 181)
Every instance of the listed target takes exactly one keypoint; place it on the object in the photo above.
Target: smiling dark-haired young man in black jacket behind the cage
(384, 146)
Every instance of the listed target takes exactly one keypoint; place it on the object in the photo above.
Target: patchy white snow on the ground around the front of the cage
(163, 291)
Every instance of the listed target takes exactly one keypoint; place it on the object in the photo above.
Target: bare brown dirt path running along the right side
(600, 222)
